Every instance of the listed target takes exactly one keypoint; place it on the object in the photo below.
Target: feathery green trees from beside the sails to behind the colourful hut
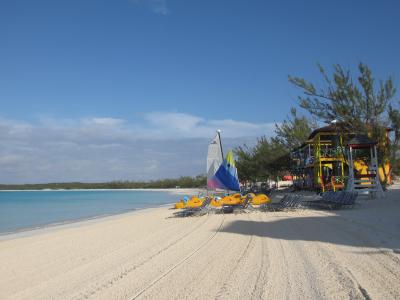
(358, 103)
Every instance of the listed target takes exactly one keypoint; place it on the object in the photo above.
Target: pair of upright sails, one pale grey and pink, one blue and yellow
(221, 173)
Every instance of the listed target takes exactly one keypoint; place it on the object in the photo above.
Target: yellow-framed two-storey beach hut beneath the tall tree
(321, 163)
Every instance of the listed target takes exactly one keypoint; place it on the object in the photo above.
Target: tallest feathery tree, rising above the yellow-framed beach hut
(359, 105)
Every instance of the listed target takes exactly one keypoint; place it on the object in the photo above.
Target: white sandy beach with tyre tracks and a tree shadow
(304, 254)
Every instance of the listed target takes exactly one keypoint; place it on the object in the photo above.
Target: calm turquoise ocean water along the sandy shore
(20, 210)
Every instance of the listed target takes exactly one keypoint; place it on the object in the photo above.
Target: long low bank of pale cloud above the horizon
(157, 145)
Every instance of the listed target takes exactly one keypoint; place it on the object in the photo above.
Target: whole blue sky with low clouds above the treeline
(157, 70)
